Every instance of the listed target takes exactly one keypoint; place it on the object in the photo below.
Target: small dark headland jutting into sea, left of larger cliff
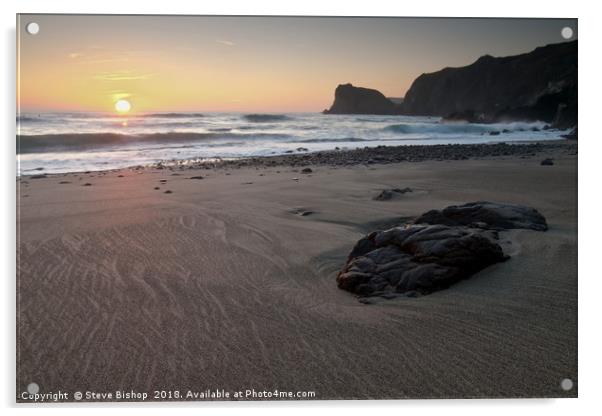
(356, 100)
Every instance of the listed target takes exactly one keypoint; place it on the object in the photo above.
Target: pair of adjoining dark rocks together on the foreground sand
(439, 249)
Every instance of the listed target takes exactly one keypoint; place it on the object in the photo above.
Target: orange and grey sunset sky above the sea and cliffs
(244, 64)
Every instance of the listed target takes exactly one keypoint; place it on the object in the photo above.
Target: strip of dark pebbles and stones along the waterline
(387, 155)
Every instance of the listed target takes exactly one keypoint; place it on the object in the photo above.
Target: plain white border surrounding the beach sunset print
(589, 187)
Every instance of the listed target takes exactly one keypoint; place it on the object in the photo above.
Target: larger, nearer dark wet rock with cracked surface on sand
(420, 258)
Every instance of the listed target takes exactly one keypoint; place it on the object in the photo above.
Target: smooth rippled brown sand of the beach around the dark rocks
(220, 283)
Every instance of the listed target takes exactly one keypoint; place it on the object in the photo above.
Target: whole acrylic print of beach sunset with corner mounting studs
(295, 208)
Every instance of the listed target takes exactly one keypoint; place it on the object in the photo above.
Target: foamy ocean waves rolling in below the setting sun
(73, 142)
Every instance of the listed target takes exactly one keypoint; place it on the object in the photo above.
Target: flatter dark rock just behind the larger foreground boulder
(488, 215)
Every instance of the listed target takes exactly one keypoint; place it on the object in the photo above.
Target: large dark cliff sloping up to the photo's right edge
(540, 85)
